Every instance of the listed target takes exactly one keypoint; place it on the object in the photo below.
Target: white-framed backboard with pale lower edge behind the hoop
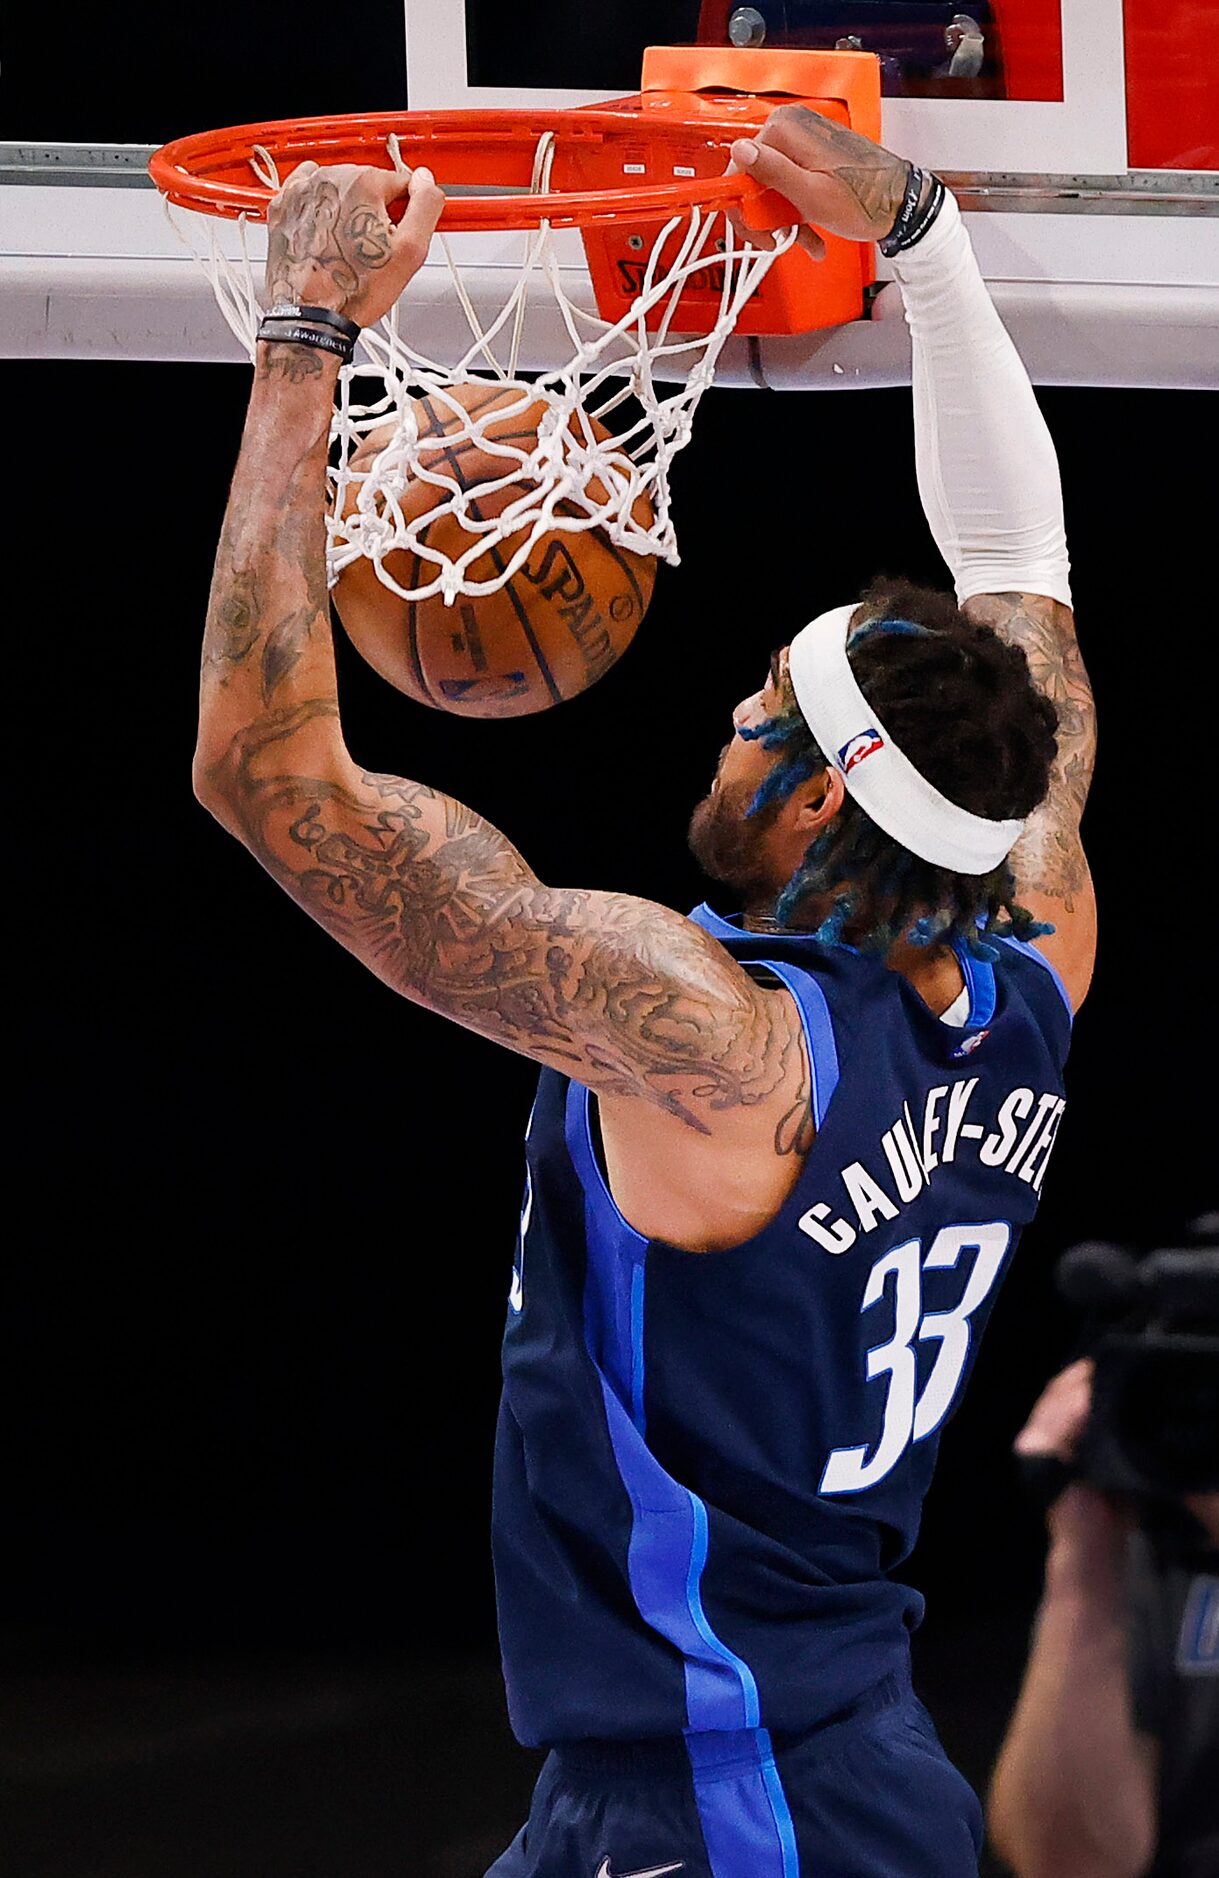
(1081, 136)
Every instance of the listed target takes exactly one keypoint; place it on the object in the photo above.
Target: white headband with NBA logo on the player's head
(884, 782)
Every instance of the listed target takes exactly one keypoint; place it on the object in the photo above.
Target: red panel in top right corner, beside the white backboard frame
(1173, 85)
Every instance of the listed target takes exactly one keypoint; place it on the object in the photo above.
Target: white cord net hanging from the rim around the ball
(570, 480)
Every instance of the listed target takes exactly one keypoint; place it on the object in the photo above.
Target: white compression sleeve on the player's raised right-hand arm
(987, 465)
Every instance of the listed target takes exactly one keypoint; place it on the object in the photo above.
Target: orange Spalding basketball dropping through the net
(549, 634)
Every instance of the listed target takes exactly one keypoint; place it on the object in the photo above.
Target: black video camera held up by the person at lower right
(1154, 1338)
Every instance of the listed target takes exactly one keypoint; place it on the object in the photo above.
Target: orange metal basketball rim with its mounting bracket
(615, 172)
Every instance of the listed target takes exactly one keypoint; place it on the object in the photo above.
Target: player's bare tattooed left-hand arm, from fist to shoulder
(621, 994)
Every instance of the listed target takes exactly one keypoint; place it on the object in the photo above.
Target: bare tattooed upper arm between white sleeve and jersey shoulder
(1053, 876)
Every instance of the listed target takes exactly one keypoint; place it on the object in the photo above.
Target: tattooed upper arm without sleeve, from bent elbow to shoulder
(617, 993)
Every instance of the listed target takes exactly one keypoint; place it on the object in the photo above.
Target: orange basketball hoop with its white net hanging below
(600, 431)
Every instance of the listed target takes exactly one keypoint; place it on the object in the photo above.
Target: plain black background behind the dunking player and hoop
(262, 1214)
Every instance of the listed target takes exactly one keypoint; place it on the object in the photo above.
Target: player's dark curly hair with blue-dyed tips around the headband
(964, 709)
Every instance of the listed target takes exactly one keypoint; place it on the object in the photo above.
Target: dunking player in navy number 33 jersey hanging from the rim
(780, 1160)
